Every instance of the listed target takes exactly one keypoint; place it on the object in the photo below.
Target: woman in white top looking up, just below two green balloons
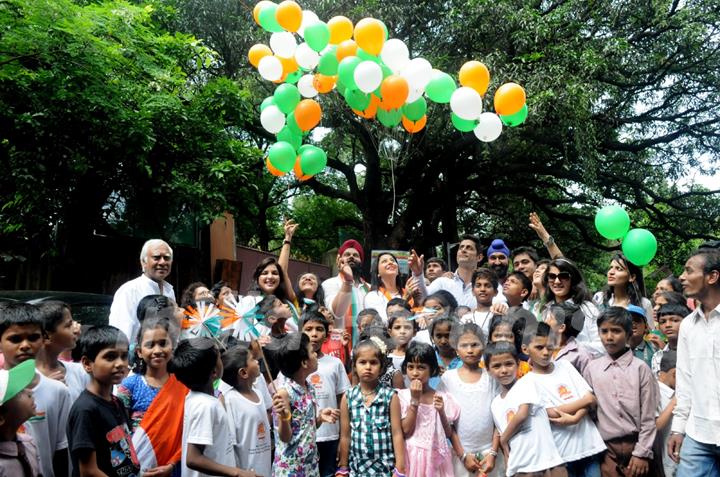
(625, 286)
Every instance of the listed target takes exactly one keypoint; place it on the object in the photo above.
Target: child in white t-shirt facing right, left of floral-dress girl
(247, 411)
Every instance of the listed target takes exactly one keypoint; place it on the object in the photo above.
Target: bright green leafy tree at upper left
(106, 118)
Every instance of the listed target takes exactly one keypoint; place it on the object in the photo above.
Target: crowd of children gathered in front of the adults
(432, 390)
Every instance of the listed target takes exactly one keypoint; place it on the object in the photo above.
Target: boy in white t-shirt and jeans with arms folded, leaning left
(567, 398)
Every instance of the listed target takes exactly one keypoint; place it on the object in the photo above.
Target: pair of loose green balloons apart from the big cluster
(638, 245)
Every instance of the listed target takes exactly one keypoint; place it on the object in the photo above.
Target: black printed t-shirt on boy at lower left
(102, 426)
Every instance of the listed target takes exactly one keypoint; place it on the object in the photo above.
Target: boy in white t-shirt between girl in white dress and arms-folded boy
(521, 418)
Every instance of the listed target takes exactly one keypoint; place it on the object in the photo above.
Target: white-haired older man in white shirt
(156, 262)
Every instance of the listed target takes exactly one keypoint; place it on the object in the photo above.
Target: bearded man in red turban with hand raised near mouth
(345, 293)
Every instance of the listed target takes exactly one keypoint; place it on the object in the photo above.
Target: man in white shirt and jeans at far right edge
(695, 433)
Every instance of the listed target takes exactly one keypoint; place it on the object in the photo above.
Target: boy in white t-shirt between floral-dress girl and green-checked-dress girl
(330, 383)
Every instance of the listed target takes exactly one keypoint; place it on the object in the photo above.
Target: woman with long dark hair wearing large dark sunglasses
(563, 282)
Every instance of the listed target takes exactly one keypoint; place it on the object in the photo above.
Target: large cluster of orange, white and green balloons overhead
(373, 73)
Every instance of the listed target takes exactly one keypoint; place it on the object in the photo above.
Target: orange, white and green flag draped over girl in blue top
(158, 438)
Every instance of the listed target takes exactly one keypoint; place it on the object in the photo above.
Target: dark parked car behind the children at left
(87, 308)
